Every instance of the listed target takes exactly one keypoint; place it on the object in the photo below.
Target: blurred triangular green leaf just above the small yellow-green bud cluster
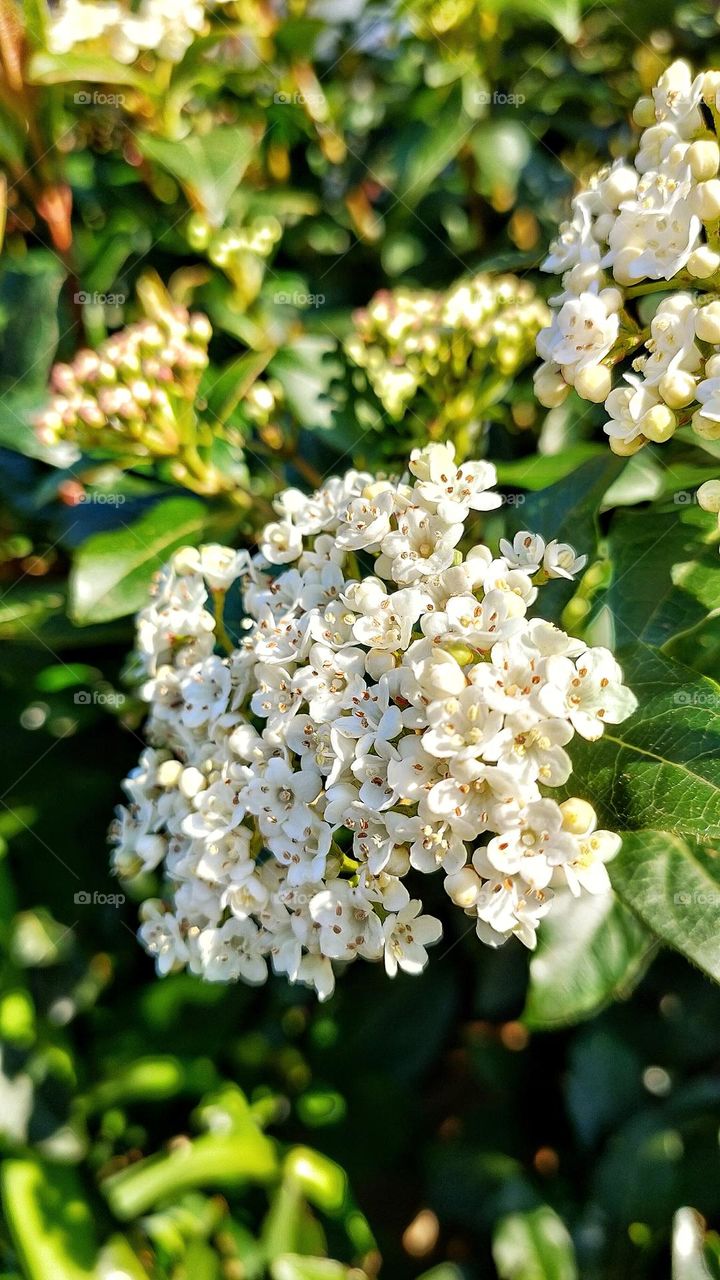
(209, 168)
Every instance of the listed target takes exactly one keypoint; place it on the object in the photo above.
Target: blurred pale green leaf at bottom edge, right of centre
(534, 1246)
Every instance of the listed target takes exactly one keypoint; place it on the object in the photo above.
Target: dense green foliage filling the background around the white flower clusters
(539, 1119)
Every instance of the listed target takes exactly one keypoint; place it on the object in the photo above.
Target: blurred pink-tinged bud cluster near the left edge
(134, 395)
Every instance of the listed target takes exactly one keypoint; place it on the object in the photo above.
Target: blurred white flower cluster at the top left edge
(167, 28)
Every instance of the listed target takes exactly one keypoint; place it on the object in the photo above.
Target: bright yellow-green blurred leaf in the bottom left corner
(52, 1224)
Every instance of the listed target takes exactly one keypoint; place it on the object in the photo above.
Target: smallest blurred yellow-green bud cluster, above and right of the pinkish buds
(240, 253)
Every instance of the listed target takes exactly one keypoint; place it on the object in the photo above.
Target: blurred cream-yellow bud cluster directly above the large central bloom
(458, 348)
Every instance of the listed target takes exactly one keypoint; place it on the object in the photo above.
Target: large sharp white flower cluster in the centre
(391, 711)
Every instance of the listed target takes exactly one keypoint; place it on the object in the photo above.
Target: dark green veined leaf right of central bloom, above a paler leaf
(662, 767)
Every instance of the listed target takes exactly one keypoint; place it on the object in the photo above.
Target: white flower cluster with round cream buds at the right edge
(637, 225)
